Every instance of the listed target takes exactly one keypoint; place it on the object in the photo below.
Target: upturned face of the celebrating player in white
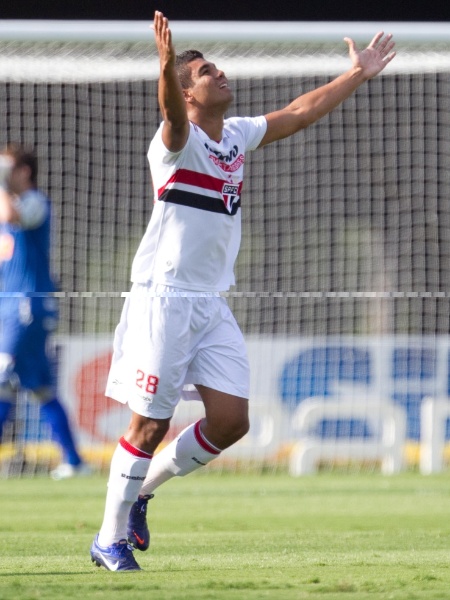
(210, 87)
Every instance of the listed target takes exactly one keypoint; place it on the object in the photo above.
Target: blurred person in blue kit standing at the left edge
(27, 314)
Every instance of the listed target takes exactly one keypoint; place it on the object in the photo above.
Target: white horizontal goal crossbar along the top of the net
(221, 31)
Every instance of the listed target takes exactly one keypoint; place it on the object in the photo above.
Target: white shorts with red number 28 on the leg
(169, 338)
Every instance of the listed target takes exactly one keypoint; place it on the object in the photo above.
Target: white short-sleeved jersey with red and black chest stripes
(194, 233)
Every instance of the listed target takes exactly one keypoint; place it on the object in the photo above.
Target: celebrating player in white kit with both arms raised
(175, 328)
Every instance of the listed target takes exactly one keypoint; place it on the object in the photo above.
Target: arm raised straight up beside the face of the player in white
(170, 95)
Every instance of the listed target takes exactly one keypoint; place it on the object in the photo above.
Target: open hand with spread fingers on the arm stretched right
(375, 57)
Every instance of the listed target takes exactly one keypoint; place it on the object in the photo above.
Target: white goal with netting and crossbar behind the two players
(343, 277)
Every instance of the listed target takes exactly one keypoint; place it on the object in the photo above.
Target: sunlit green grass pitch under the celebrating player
(236, 537)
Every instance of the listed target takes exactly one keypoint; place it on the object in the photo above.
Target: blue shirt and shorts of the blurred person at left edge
(28, 309)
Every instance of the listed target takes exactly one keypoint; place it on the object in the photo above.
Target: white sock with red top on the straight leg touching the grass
(129, 466)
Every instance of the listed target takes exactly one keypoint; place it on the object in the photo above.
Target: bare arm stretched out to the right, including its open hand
(309, 107)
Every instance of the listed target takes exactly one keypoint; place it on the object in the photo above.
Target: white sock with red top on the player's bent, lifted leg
(186, 453)
